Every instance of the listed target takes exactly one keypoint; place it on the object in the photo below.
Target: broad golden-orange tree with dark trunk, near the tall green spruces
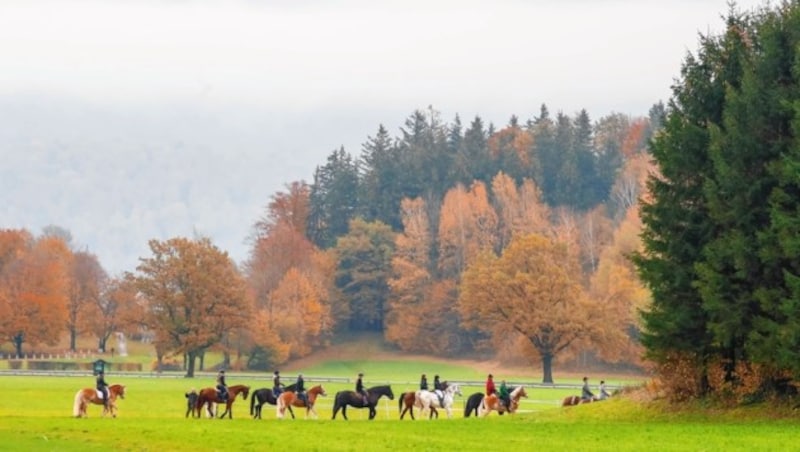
(532, 290)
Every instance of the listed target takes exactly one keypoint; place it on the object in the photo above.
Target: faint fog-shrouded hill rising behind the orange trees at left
(116, 178)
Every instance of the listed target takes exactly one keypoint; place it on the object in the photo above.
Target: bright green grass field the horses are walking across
(35, 414)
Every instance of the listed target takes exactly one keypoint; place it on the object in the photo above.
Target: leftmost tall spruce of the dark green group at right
(676, 222)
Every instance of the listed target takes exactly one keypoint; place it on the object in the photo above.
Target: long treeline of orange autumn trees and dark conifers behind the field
(415, 238)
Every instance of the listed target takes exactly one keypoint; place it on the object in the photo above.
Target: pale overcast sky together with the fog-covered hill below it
(124, 121)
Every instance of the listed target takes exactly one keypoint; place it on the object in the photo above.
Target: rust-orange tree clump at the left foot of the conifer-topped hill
(288, 276)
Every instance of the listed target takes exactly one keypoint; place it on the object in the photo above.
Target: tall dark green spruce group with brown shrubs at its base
(722, 228)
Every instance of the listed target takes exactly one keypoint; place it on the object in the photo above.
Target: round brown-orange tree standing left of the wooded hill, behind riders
(195, 295)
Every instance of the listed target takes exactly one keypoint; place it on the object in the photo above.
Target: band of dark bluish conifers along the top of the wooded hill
(573, 160)
